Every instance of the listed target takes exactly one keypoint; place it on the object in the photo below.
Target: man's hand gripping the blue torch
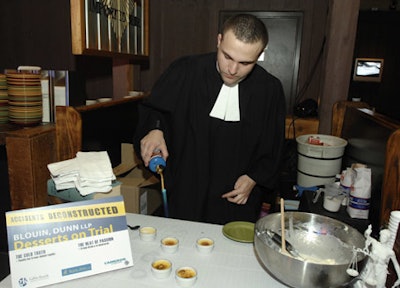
(153, 141)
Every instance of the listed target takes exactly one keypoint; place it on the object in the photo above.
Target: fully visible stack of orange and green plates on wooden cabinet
(24, 98)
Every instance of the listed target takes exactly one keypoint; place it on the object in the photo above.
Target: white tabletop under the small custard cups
(231, 264)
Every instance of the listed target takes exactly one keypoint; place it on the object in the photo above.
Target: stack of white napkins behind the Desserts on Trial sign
(89, 172)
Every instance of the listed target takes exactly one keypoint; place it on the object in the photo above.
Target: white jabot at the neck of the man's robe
(226, 106)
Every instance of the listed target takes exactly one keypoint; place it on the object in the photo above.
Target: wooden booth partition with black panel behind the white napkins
(102, 126)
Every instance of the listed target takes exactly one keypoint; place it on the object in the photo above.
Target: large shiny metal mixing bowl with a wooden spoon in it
(325, 248)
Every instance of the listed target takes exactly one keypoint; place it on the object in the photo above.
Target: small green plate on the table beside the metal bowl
(240, 231)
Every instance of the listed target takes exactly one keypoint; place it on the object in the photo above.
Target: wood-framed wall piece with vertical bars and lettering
(120, 28)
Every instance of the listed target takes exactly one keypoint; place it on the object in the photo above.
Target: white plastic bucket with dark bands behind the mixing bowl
(319, 164)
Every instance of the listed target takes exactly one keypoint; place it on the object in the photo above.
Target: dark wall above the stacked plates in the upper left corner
(37, 33)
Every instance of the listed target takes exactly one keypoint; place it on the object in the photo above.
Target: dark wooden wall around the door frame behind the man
(180, 28)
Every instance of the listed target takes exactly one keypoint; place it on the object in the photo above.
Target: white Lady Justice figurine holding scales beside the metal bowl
(380, 253)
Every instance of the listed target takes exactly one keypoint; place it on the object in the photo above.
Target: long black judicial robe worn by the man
(207, 155)
